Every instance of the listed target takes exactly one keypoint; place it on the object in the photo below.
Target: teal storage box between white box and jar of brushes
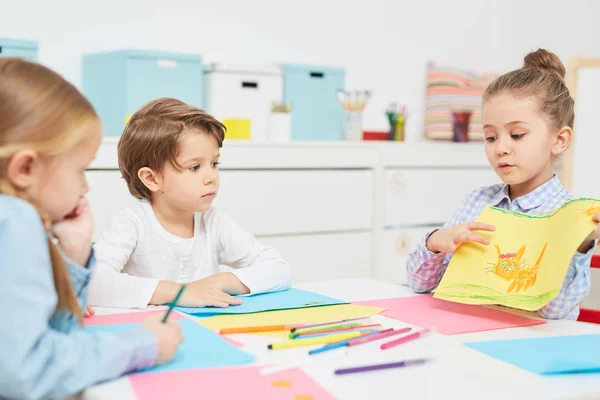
(317, 114)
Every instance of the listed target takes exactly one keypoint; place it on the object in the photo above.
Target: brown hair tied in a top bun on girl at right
(541, 76)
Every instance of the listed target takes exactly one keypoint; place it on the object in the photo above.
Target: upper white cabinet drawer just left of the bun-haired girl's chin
(430, 196)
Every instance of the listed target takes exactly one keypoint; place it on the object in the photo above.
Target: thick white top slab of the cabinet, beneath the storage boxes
(324, 155)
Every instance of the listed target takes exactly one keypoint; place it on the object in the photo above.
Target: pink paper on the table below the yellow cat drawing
(448, 317)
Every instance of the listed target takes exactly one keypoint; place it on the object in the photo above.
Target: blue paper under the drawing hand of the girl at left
(201, 348)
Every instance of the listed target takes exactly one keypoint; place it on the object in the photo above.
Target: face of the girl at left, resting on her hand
(57, 183)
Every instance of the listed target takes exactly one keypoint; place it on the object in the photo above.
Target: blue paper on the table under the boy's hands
(287, 299)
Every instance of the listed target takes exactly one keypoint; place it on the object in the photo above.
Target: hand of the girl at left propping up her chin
(74, 233)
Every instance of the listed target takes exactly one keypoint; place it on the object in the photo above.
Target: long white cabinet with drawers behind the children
(334, 210)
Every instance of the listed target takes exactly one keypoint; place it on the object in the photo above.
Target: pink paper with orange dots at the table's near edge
(227, 384)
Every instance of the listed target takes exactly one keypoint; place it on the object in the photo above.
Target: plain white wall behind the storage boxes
(384, 44)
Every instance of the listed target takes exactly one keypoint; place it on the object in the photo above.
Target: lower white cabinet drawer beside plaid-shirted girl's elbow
(397, 245)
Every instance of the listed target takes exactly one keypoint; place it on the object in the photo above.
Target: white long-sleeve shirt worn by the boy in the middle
(137, 252)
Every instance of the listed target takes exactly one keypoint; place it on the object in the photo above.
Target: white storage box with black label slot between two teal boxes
(243, 92)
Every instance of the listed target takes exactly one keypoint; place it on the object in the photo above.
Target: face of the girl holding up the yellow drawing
(520, 144)
